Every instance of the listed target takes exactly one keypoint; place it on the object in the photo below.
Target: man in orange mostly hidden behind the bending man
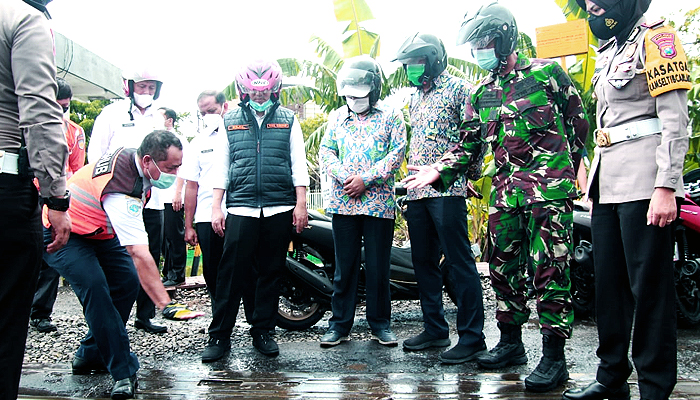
(47, 286)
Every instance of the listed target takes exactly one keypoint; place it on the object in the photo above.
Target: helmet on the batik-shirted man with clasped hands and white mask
(360, 71)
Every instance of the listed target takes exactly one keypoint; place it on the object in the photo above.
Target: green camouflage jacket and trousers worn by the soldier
(534, 120)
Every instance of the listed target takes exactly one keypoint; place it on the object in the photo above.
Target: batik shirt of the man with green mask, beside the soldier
(435, 120)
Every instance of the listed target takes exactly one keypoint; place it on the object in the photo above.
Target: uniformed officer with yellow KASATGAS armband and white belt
(641, 83)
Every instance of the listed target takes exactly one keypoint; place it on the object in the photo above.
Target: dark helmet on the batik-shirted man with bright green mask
(428, 46)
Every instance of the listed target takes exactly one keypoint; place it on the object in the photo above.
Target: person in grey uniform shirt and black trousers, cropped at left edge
(30, 134)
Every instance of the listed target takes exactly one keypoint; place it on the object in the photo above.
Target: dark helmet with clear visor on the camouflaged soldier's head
(491, 22)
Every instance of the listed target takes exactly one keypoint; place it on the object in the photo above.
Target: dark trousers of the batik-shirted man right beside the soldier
(441, 223)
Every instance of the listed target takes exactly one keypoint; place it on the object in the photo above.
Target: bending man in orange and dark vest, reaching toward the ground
(107, 253)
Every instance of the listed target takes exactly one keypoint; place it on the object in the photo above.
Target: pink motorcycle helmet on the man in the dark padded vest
(260, 75)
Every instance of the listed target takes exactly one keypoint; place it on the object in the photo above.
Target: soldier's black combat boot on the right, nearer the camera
(551, 371)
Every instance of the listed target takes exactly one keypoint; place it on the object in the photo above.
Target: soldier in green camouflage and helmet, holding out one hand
(531, 114)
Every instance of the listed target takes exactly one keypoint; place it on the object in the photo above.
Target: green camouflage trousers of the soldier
(535, 236)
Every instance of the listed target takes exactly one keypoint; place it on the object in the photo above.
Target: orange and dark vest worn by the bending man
(91, 183)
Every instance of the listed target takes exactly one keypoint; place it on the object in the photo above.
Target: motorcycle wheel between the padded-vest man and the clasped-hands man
(297, 309)
